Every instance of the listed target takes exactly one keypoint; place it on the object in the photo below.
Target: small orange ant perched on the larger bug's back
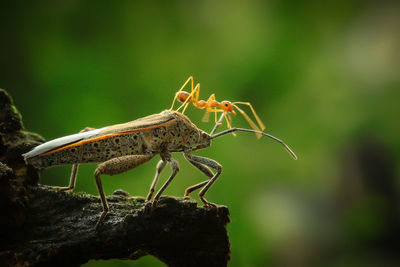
(212, 105)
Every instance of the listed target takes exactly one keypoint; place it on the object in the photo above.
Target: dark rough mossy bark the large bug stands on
(41, 226)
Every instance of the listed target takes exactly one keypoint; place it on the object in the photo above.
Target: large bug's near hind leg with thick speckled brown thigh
(115, 166)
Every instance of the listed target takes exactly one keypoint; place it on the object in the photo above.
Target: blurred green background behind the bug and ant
(323, 76)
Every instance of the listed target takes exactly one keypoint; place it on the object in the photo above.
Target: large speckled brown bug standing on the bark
(122, 147)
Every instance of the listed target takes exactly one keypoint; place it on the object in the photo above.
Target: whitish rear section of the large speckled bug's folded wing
(59, 142)
